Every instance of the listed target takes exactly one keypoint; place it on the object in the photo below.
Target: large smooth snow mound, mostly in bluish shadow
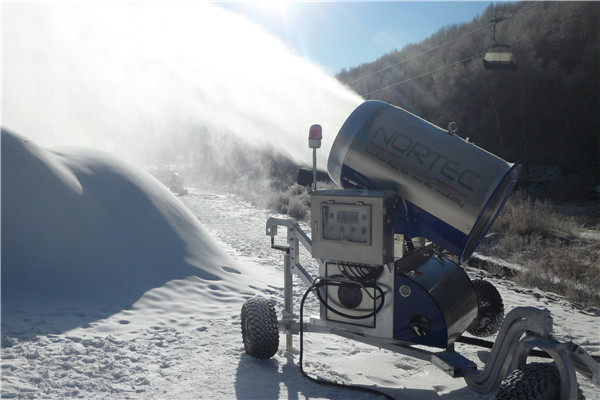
(82, 227)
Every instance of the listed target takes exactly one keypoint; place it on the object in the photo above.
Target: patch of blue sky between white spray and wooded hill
(346, 34)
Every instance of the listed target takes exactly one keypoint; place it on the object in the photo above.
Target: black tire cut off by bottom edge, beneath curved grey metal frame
(535, 381)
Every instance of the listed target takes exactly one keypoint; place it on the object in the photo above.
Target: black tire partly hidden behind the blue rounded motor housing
(490, 310)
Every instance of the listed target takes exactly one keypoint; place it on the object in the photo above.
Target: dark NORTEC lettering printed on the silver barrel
(426, 158)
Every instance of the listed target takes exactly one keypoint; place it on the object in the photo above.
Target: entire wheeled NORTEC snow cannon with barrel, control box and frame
(415, 202)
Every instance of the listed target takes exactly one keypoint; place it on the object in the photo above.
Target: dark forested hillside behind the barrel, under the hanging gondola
(545, 113)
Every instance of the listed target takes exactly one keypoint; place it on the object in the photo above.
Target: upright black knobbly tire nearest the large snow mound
(259, 328)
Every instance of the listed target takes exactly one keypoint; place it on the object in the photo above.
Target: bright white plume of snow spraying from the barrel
(156, 81)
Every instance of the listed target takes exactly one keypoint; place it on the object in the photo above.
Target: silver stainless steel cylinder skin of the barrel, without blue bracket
(449, 178)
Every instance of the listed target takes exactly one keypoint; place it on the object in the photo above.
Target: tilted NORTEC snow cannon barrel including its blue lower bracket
(452, 190)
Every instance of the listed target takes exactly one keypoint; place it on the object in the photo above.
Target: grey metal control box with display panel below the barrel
(353, 226)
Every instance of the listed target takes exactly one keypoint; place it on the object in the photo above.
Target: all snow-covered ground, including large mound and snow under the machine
(151, 309)
